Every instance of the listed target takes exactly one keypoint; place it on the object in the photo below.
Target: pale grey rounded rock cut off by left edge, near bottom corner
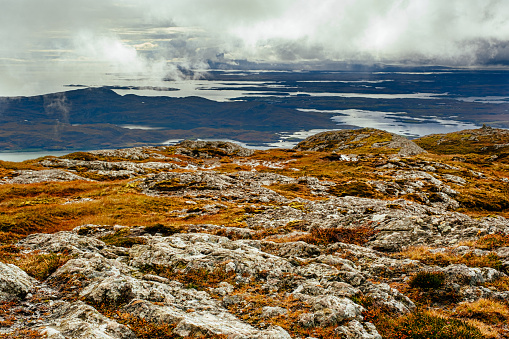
(14, 282)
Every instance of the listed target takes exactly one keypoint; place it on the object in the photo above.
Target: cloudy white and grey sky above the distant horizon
(50, 43)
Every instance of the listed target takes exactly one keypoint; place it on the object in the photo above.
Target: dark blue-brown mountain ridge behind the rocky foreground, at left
(99, 118)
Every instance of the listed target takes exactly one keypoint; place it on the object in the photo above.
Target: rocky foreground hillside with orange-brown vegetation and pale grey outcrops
(352, 234)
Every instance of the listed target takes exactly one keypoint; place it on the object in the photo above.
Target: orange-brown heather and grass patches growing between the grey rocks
(40, 207)
